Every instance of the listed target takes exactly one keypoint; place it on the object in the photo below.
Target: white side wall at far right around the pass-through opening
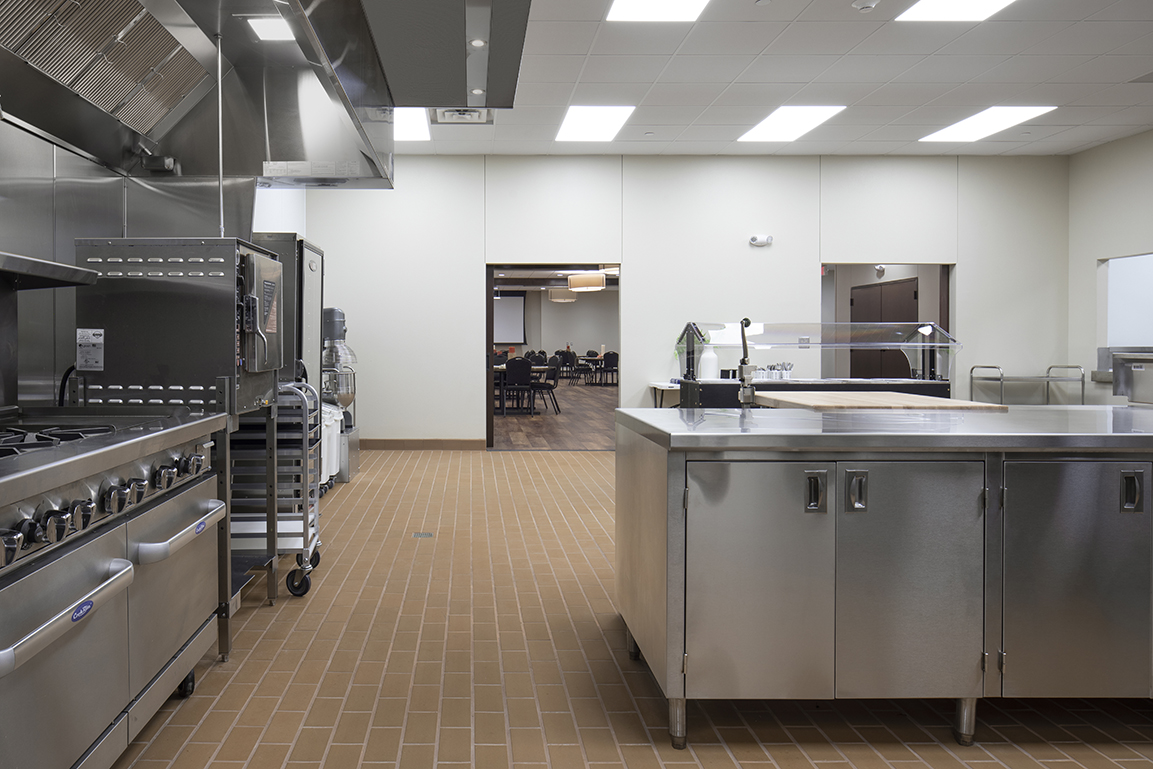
(1111, 200)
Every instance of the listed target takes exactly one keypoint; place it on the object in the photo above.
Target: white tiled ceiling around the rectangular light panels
(698, 87)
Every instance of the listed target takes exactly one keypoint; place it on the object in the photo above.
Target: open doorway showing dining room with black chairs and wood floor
(554, 344)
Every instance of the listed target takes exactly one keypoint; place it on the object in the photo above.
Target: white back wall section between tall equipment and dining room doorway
(408, 267)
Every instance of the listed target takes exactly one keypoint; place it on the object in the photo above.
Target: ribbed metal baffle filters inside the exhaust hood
(111, 52)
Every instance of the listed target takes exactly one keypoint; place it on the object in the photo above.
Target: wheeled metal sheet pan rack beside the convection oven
(277, 511)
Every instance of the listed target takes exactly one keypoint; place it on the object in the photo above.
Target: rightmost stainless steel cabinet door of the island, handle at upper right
(1077, 579)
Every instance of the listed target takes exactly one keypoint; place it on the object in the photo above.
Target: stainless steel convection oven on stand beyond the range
(174, 318)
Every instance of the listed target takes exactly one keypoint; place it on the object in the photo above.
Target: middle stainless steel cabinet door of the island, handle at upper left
(910, 579)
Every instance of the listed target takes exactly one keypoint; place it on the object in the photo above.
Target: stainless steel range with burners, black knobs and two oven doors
(109, 570)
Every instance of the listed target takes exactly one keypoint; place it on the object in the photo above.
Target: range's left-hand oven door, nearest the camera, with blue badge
(64, 654)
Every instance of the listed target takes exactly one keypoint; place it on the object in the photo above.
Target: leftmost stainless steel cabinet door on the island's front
(759, 599)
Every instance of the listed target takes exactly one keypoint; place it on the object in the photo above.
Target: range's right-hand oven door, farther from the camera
(177, 575)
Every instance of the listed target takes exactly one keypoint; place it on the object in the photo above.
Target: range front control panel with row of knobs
(33, 527)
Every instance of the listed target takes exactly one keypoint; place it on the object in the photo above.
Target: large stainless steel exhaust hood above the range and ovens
(124, 82)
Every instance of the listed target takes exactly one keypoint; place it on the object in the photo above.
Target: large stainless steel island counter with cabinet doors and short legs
(790, 554)
